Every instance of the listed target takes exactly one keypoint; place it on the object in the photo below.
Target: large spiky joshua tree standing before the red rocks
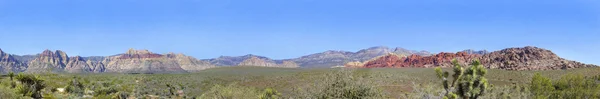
(469, 84)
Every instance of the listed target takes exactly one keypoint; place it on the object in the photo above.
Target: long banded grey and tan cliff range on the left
(133, 61)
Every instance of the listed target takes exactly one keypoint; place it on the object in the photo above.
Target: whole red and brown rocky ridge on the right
(527, 58)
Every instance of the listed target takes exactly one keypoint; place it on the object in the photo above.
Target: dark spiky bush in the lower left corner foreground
(30, 85)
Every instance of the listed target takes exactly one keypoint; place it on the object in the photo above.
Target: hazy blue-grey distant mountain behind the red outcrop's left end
(340, 58)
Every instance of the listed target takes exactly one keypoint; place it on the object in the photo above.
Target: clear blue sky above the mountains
(291, 28)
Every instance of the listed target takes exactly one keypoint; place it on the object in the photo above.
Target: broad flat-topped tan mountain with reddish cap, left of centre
(144, 61)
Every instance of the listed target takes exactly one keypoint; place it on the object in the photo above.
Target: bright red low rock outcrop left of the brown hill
(441, 59)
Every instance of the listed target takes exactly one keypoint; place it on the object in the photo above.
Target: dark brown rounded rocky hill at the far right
(528, 58)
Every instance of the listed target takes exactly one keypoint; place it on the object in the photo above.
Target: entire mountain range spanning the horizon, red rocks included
(144, 61)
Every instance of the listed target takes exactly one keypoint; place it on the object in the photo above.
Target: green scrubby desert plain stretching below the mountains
(288, 83)
